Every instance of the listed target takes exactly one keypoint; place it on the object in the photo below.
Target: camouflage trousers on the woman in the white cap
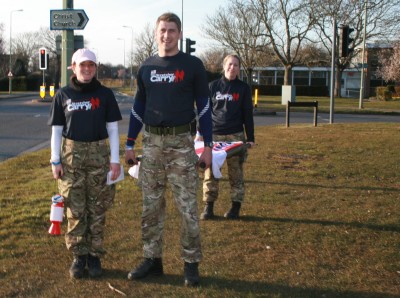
(86, 195)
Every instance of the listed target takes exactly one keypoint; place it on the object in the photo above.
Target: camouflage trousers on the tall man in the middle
(171, 159)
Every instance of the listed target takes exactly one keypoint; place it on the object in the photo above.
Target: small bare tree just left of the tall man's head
(146, 45)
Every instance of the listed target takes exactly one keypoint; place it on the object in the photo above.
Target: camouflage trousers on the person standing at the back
(235, 173)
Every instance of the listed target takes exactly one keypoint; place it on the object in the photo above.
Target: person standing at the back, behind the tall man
(232, 117)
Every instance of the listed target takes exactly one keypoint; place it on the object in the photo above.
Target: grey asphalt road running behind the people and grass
(23, 122)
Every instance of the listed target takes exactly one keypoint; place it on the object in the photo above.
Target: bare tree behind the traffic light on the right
(382, 23)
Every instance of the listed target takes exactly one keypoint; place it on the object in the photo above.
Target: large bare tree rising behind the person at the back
(275, 28)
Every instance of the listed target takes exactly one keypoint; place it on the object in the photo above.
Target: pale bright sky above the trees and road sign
(107, 18)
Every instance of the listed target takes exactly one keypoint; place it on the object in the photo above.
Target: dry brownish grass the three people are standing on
(321, 219)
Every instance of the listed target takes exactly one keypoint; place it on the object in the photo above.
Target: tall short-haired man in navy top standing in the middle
(168, 86)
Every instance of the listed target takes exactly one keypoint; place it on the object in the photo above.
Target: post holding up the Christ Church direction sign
(67, 47)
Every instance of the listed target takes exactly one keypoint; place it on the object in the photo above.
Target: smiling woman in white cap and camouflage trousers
(82, 116)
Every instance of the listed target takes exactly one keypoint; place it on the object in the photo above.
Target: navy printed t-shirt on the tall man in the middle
(168, 86)
